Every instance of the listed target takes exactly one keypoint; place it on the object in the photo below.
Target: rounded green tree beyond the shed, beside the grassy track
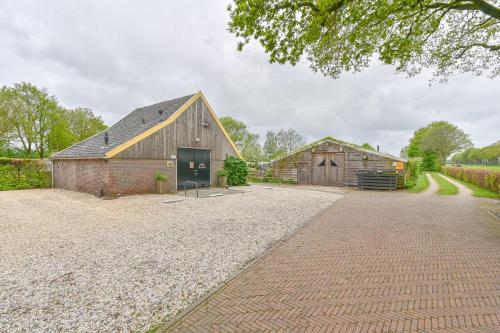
(444, 139)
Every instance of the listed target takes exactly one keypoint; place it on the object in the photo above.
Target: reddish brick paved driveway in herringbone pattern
(374, 262)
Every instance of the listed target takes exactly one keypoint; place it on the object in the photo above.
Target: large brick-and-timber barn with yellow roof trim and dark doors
(182, 138)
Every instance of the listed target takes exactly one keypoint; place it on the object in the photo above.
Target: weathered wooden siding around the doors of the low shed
(287, 168)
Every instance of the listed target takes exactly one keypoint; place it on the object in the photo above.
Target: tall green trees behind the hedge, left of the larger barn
(34, 124)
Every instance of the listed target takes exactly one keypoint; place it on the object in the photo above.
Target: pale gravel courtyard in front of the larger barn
(72, 262)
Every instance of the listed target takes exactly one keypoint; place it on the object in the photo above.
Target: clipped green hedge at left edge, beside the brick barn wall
(23, 174)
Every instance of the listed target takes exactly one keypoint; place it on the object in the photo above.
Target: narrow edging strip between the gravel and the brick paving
(165, 327)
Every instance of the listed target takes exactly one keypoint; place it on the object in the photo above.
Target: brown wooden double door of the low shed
(328, 169)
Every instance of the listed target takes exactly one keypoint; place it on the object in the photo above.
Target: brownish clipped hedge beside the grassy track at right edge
(487, 179)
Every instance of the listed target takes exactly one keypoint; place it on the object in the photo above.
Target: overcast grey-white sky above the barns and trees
(115, 56)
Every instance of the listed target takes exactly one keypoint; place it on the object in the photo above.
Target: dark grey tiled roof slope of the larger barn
(135, 123)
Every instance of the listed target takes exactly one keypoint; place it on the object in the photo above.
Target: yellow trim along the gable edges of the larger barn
(115, 151)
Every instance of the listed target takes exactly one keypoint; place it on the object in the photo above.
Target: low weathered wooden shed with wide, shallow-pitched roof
(333, 162)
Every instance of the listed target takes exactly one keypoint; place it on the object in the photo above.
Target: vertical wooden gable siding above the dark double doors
(183, 132)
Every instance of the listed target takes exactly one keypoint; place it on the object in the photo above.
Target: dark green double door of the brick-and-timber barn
(193, 165)
